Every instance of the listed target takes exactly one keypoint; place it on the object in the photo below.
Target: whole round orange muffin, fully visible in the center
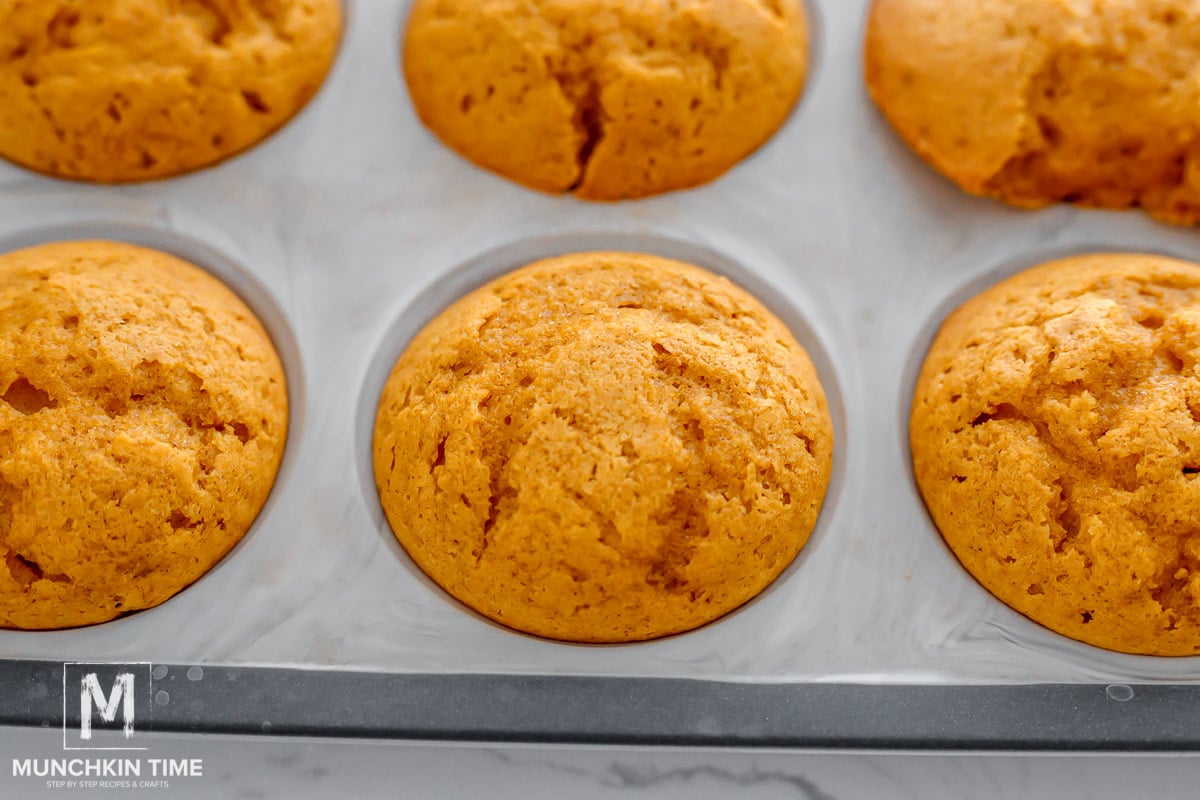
(604, 448)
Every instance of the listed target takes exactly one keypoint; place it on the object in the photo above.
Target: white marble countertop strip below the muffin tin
(268, 768)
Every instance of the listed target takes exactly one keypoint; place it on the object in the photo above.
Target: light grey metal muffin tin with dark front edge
(353, 226)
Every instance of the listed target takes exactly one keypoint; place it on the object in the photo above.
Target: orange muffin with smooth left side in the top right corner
(1036, 103)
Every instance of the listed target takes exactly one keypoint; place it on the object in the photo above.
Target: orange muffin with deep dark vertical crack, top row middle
(605, 99)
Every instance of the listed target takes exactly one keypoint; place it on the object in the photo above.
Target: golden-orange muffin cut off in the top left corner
(130, 91)
